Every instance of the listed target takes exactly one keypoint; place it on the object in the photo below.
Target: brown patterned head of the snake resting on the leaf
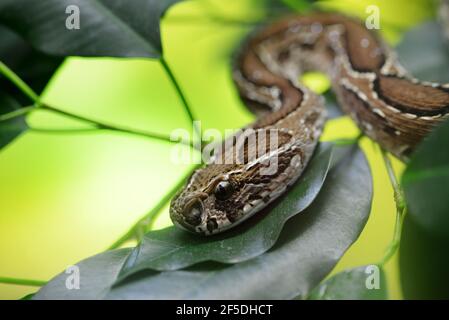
(226, 192)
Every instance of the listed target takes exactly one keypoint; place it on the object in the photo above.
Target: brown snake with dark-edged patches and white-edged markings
(388, 105)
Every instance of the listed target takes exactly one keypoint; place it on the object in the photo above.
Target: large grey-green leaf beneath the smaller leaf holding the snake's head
(307, 250)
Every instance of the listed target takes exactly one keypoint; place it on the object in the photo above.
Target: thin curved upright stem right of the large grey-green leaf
(400, 210)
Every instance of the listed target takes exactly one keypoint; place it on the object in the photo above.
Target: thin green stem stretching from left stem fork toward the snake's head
(105, 126)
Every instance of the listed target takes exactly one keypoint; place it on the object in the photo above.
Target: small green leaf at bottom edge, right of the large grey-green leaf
(362, 283)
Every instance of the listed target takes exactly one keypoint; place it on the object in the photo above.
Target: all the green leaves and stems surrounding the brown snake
(280, 254)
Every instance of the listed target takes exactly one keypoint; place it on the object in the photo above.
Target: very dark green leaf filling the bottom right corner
(423, 262)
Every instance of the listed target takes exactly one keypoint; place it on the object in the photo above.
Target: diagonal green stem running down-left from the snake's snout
(140, 227)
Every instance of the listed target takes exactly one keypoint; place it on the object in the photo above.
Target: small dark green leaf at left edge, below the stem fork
(11, 128)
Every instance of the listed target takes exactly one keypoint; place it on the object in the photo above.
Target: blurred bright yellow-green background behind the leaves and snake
(64, 197)
